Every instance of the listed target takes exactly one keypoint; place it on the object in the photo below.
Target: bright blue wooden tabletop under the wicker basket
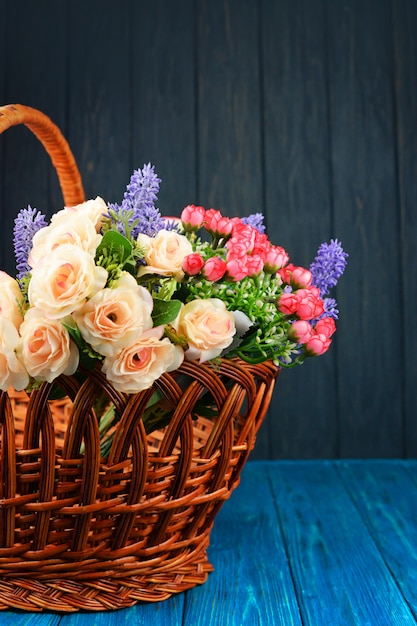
(329, 543)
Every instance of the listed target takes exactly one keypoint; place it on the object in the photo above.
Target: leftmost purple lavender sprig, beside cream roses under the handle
(26, 225)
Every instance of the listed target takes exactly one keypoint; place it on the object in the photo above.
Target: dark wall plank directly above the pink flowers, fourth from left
(229, 139)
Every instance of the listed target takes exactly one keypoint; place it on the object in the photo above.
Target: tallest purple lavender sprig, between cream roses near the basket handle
(138, 206)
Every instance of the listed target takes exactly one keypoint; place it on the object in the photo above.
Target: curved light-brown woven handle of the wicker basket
(54, 143)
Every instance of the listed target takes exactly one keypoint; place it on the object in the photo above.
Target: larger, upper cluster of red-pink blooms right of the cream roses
(248, 252)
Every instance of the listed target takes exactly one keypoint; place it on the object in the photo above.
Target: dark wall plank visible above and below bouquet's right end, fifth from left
(303, 419)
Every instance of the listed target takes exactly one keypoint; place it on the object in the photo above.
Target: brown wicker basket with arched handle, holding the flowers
(81, 532)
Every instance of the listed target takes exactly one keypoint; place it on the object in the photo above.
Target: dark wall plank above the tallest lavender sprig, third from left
(163, 105)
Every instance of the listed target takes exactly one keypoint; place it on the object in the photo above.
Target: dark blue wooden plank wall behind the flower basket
(304, 109)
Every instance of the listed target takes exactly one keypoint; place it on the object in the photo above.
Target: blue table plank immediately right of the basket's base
(251, 583)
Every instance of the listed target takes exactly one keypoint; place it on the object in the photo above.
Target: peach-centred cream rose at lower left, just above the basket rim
(45, 347)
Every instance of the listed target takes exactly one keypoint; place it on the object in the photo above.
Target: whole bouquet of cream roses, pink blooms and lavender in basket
(125, 289)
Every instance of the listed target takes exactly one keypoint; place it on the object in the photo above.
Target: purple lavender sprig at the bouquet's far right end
(328, 266)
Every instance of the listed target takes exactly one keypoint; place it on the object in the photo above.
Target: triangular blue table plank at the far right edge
(386, 496)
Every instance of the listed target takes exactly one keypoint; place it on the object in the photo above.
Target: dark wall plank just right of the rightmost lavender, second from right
(366, 219)
